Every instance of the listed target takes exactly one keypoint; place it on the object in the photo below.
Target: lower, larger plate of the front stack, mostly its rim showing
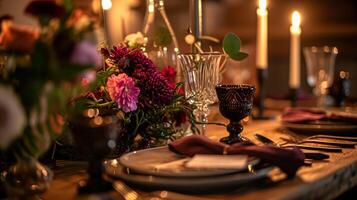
(206, 184)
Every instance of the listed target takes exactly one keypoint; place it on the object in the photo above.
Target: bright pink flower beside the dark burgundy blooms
(123, 91)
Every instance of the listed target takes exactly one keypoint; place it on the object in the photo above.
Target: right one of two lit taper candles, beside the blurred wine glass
(295, 31)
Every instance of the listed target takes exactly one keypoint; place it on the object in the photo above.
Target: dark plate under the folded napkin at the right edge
(322, 127)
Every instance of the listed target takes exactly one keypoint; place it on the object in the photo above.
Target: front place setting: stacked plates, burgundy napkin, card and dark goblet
(196, 164)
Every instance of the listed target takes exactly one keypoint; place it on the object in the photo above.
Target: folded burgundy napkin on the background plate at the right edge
(297, 115)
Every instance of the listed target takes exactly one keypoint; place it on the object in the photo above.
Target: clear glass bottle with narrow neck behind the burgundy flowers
(161, 43)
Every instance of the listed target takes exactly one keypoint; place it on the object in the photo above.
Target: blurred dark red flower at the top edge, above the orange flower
(47, 8)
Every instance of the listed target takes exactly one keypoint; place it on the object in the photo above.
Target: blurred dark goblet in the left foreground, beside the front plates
(95, 138)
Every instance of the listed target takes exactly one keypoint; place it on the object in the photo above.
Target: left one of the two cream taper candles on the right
(262, 36)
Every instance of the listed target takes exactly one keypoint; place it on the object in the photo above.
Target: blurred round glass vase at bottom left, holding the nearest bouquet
(26, 179)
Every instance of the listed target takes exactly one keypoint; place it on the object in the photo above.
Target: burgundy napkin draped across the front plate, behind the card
(288, 160)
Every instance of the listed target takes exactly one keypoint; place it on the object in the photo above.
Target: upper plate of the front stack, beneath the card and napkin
(145, 162)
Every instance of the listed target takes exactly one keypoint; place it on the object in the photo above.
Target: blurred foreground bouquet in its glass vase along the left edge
(39, 73)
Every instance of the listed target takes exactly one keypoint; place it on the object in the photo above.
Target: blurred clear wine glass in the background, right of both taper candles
(320, 63)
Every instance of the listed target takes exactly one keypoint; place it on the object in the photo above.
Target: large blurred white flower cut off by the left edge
(12, 117)
